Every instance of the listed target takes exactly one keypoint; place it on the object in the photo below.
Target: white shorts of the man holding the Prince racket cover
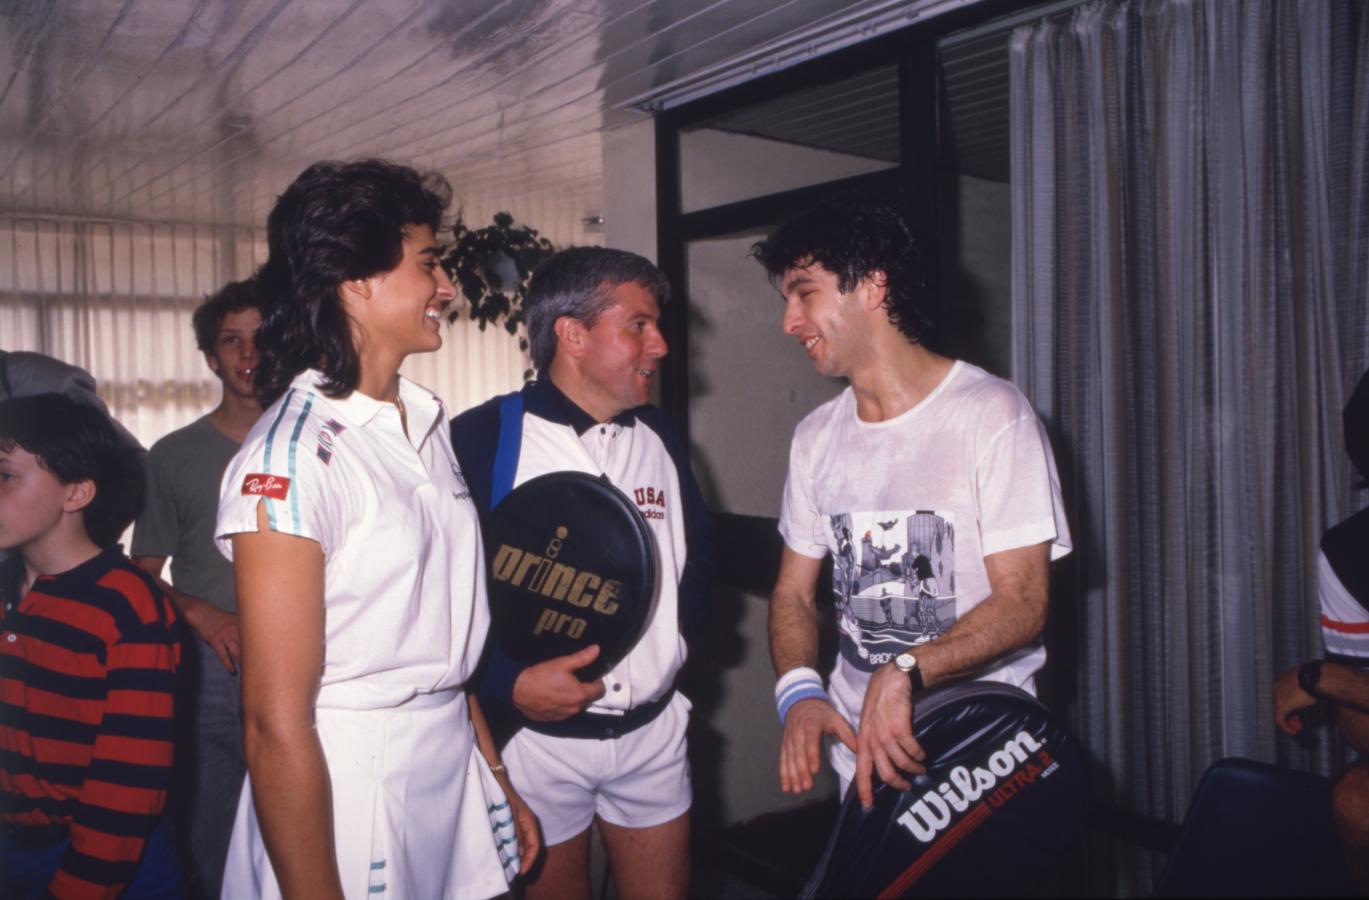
(636, 782)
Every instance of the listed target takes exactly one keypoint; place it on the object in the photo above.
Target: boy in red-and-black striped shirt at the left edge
(88, 655)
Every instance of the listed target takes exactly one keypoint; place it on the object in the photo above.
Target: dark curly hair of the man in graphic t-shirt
(854, 235)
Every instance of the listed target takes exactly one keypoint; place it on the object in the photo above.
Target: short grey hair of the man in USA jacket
(580, 283)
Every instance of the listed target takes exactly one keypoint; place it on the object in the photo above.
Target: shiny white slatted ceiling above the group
(202, 112)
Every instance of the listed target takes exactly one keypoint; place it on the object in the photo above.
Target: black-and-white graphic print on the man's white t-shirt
(895, 579)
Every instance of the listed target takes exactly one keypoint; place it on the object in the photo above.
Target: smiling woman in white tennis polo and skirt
(359, 569)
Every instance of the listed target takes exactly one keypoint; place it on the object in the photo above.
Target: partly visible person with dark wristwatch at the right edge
(1341, 679)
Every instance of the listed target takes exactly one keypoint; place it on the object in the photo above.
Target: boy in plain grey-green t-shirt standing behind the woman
(184, 473)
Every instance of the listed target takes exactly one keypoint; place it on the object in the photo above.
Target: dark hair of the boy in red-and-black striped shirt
(77, 442)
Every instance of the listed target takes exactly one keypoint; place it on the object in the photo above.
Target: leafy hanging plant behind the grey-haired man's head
(492, 266)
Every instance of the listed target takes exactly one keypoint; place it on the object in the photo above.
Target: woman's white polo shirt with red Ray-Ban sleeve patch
(406, 610)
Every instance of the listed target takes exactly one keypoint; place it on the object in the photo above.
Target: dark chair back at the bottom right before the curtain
(1257, 831)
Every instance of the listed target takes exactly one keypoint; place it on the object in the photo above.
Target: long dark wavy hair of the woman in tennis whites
(336, 223)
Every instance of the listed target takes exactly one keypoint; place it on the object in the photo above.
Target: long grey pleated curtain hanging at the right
(1192, 309)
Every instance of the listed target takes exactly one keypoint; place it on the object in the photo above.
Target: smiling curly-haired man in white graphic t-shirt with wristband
(938, 466)
